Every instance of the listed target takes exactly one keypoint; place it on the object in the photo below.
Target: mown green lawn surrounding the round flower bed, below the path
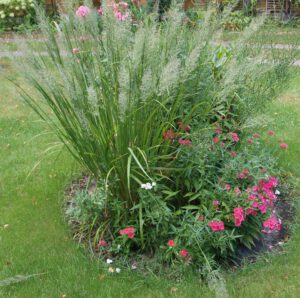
(37, 240)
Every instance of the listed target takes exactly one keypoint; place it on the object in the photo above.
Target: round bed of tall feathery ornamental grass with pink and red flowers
(153, 111)
